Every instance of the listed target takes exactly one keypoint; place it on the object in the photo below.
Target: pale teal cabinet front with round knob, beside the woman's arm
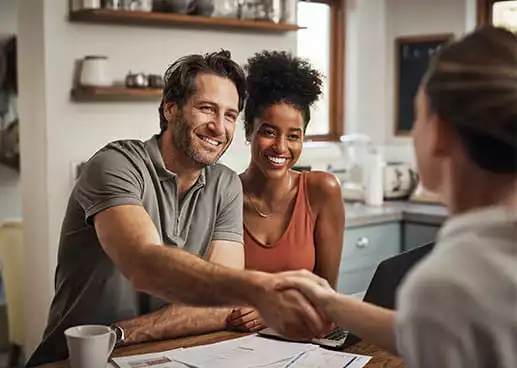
(363, 248)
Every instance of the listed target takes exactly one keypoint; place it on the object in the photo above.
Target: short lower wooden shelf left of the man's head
(93, 94)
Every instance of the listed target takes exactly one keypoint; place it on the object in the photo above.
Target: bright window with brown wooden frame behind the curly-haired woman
(322, 43)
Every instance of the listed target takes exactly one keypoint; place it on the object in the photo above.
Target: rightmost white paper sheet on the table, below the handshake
(321, 358)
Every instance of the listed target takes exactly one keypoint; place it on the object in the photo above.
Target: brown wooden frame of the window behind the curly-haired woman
(336, 78)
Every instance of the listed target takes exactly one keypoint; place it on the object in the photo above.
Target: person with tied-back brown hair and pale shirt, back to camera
(458, 307)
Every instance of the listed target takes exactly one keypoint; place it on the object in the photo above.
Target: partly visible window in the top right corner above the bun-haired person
(501, 13)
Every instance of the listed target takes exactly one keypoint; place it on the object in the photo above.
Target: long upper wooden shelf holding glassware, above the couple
(175, 20)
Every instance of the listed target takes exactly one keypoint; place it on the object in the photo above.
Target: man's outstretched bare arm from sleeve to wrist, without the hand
(130, 239)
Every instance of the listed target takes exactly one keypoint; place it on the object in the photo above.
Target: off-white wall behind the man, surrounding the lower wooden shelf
(63, 132)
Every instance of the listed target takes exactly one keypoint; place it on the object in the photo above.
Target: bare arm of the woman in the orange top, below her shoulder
(329, 211)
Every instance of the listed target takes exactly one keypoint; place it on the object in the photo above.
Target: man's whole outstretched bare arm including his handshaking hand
(130, 239)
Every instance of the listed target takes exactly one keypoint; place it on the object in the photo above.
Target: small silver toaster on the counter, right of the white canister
(399, 180)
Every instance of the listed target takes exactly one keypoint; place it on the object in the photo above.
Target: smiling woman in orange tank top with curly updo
(291, 220)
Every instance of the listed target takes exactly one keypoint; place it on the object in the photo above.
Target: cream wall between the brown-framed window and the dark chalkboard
(372, 27)
